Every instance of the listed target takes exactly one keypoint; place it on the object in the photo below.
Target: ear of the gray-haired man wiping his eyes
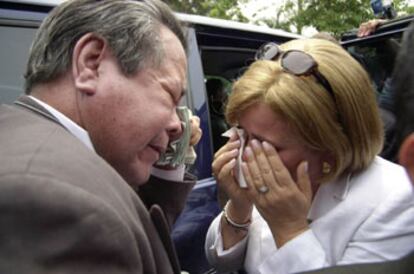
(87, 55)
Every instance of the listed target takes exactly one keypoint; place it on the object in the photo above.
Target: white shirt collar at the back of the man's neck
(73, 128)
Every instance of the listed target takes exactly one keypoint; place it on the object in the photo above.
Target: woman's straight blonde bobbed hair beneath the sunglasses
(346, 125)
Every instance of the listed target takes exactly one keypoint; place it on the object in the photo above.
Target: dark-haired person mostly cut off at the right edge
(403, 81)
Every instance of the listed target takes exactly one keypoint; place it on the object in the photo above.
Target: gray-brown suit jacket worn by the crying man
(63, 209)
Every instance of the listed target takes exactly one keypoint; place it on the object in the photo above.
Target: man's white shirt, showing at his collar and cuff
(172, 175)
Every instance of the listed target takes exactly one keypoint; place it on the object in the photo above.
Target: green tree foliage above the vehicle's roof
(332, 16)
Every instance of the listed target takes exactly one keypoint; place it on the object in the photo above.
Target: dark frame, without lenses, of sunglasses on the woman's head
(312, 70)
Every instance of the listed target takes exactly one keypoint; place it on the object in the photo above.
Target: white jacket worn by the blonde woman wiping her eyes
(368, 217)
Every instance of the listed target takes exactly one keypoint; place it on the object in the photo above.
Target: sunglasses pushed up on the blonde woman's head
(295, 62)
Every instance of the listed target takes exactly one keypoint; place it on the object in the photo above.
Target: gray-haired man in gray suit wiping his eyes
(103, 81)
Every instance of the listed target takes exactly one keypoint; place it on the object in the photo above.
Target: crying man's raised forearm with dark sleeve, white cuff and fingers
(169, 188)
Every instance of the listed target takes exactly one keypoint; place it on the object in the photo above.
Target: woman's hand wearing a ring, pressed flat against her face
(281, 201)
